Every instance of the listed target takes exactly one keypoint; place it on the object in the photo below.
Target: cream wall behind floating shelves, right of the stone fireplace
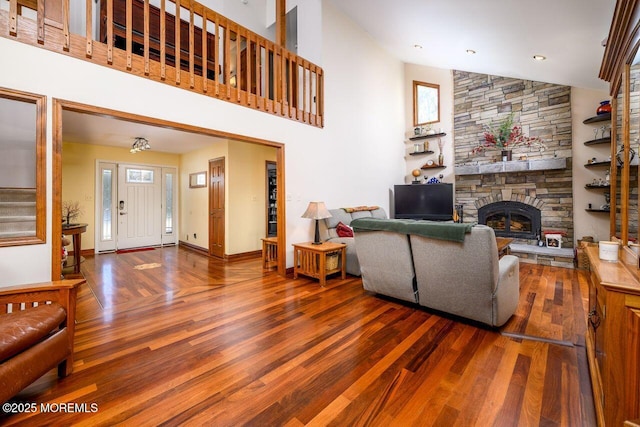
(583, 105)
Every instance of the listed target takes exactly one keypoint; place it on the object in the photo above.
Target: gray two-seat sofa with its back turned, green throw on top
(462, 275)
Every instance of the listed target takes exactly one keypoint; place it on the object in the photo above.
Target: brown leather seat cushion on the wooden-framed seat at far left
(21, 330)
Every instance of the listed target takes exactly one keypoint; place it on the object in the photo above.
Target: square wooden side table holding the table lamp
(311, 260)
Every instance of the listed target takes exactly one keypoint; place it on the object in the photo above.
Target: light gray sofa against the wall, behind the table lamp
(328, 232)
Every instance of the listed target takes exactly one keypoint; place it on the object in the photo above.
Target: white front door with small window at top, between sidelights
(139, 206)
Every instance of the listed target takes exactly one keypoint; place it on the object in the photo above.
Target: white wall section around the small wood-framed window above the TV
(444, 78)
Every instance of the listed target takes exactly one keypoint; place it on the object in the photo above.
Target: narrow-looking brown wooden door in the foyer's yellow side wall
(216, 207)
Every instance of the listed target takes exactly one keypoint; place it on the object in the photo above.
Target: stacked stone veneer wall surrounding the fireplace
(542, 109)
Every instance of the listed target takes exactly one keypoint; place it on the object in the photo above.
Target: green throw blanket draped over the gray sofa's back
(452, 231)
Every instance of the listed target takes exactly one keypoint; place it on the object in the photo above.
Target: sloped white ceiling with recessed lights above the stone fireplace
(504, 33)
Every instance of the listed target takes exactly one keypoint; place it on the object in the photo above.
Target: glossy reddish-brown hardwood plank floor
(172, 337)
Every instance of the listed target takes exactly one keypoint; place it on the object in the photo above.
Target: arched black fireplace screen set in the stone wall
(511, 219)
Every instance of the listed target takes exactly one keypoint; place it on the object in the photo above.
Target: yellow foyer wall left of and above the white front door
(79, 176)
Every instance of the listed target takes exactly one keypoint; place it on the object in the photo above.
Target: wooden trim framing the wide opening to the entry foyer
(56, 170)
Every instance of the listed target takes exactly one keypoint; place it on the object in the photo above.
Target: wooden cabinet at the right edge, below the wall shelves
(613, 339)
